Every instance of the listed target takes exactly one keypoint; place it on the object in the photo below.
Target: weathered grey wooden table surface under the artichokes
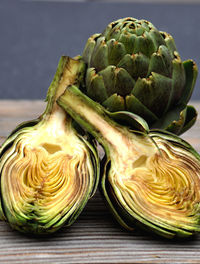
(95, 237)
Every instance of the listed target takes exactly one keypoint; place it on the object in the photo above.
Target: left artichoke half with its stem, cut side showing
(48, 170)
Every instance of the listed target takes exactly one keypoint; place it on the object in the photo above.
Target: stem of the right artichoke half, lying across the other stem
(92, 117)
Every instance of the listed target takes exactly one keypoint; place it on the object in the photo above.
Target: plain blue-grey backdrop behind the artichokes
(34, 34)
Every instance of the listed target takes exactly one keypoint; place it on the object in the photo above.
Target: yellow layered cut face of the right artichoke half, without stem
(161, 187)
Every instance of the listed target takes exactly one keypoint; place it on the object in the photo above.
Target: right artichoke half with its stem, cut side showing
(151, 178)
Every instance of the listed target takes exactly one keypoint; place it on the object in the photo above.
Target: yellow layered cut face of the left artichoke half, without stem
(46, 173)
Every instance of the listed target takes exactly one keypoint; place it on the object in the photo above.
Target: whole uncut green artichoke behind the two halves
(134, 67)
